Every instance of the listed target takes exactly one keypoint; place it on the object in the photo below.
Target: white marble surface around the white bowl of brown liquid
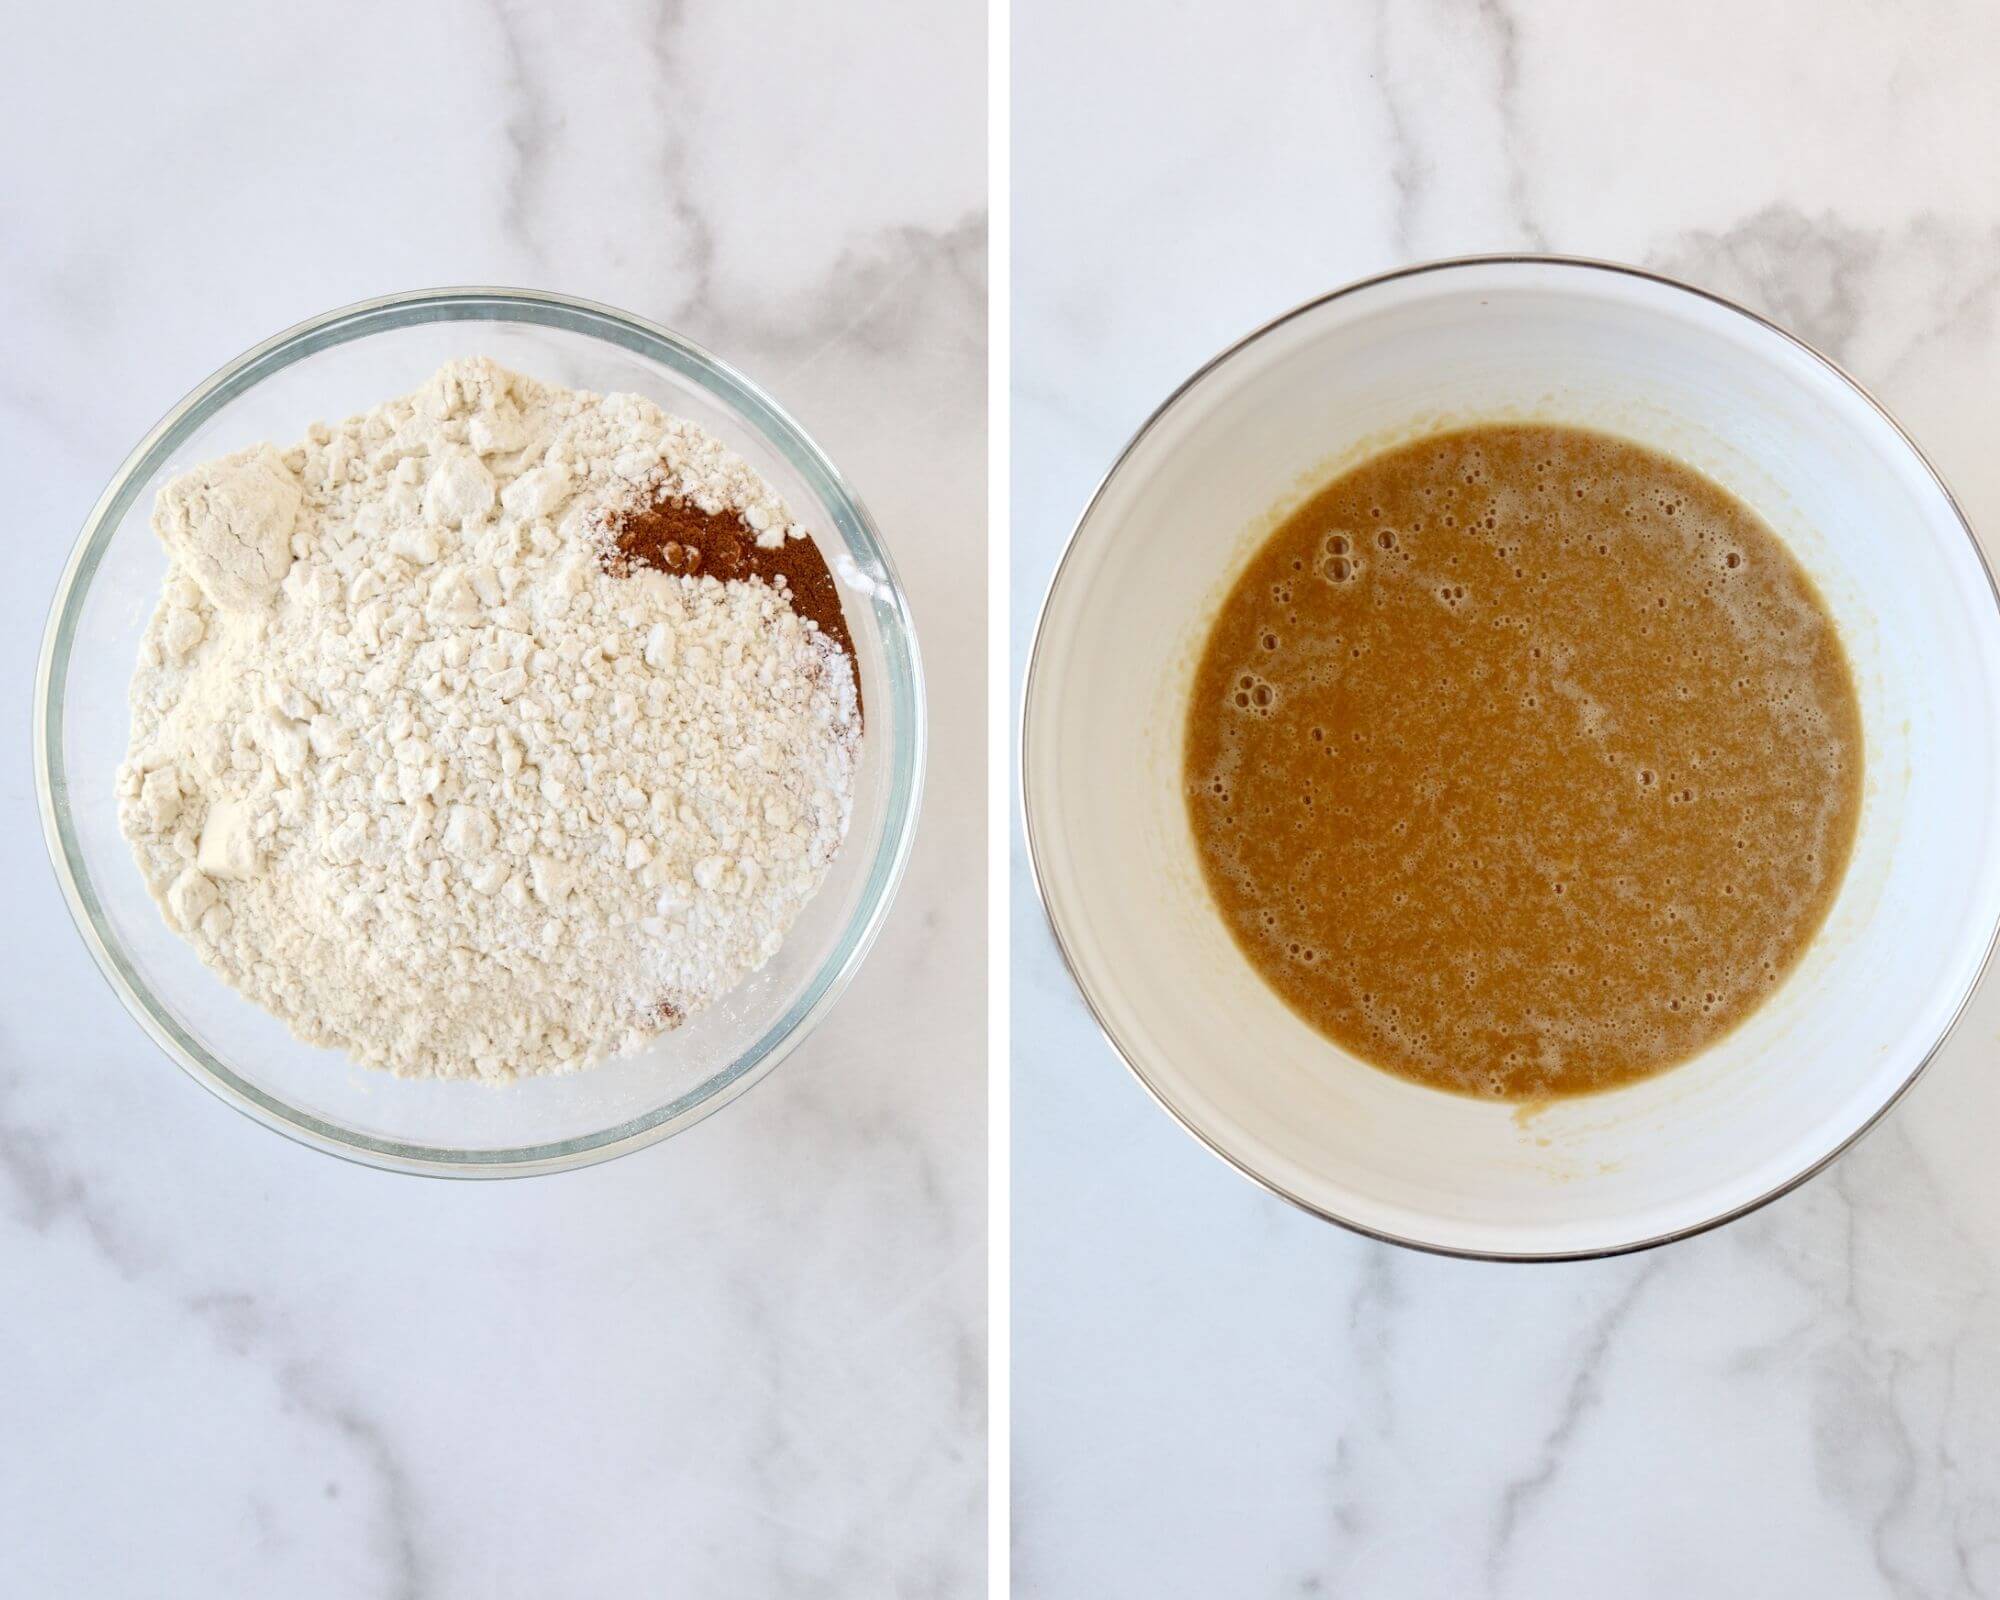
(1217, 1395)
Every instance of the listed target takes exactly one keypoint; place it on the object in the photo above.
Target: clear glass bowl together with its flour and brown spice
(479, 733)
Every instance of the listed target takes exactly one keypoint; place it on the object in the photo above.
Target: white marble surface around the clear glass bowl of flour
(751, 1361)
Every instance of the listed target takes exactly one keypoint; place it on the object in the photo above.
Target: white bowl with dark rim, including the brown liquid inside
(1535, 787)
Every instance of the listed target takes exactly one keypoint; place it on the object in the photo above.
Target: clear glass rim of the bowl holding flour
(761, 413)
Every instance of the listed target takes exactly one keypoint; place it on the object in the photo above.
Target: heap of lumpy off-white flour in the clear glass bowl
(419, 775)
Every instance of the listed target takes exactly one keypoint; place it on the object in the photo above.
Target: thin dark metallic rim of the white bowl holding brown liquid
(1585, 265)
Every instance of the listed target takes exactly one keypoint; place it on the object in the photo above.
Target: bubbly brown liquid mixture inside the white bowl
(1523, 761)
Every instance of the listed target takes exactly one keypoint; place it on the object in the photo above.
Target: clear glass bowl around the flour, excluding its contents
(327, 369)
